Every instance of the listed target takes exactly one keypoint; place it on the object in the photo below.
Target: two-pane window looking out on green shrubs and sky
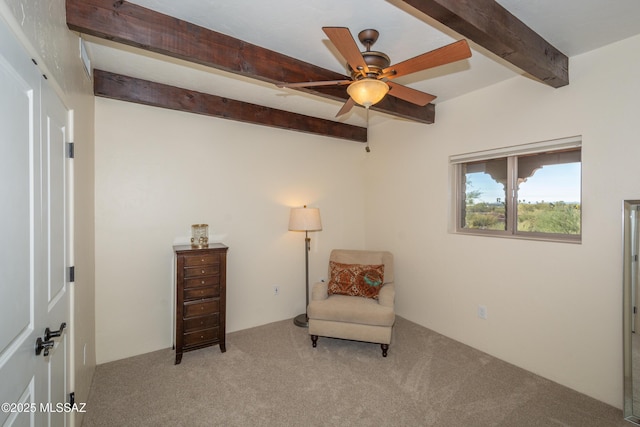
(528, 191)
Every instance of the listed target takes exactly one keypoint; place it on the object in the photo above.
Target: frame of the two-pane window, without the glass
(511, 203)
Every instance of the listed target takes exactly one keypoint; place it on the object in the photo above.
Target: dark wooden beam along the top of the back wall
(125, 88)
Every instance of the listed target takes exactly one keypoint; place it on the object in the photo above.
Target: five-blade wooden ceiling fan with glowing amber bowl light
(371, 73)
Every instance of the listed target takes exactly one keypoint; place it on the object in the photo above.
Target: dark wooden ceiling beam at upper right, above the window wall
(491, 26)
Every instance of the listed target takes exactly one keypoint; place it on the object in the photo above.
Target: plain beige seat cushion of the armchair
(344, 308)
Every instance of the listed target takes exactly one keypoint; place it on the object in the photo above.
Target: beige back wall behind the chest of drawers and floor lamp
(159, 171)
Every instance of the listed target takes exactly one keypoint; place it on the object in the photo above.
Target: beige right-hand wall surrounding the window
(553, 308)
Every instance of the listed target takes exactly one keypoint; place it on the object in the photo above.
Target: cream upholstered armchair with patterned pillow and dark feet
(357, 301)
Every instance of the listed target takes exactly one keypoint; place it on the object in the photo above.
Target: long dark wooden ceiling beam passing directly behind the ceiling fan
(133, 25)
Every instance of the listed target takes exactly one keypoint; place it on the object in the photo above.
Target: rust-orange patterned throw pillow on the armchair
(356, 279)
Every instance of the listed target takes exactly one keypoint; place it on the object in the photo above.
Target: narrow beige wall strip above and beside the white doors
(41, 26)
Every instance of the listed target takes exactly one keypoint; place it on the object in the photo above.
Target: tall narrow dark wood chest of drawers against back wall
(200, 297)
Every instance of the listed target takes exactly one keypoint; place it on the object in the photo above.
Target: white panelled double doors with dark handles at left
(34, 292)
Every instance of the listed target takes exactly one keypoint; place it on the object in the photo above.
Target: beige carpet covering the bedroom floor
(271, 376)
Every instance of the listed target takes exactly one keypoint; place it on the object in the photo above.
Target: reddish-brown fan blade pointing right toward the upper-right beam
(444, 55)
